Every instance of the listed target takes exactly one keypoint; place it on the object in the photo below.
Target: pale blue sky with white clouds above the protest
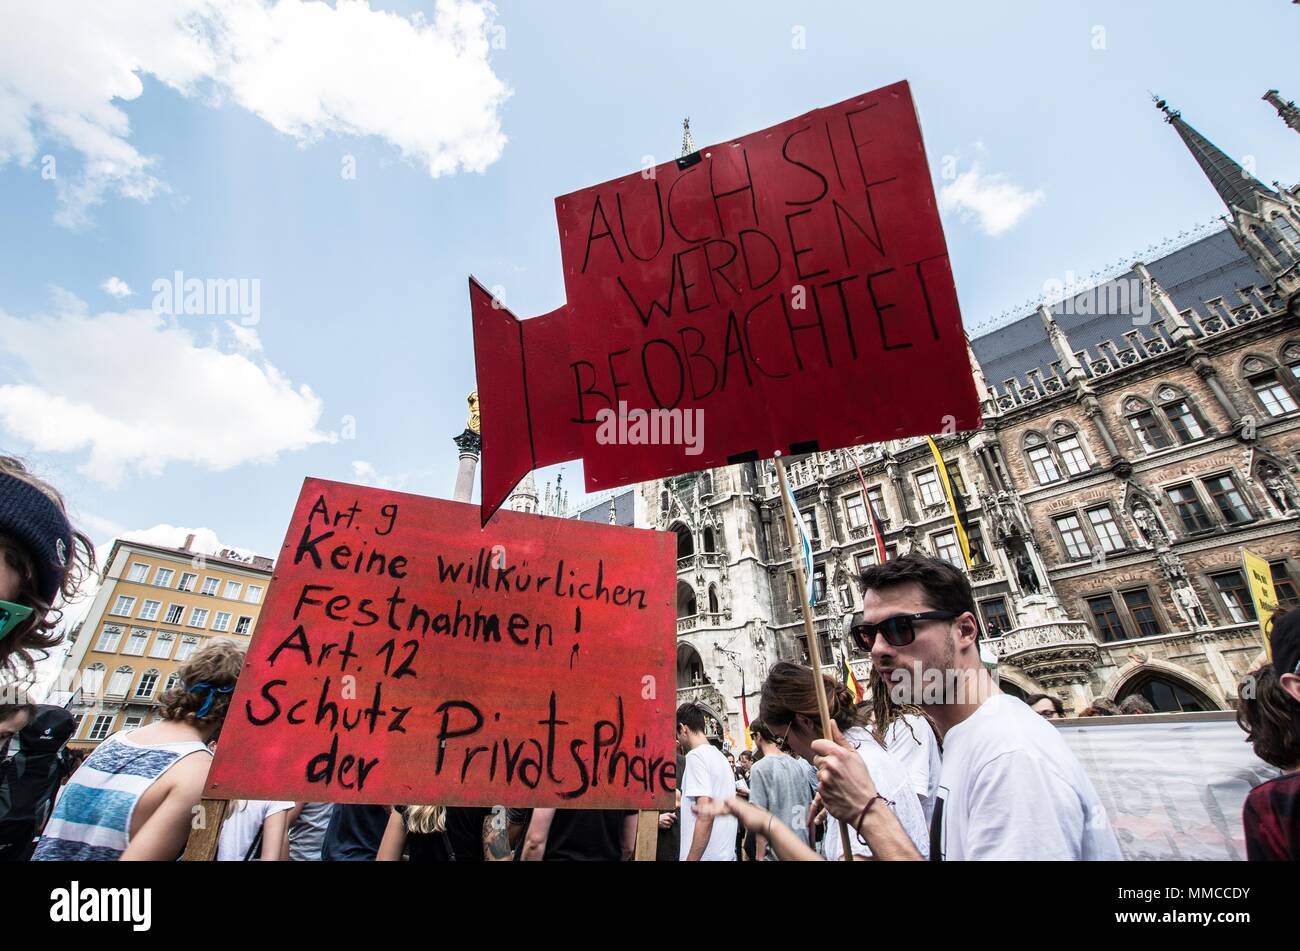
(362, 280)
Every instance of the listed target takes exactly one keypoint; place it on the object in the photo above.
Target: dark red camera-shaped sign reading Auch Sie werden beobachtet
(718, 306)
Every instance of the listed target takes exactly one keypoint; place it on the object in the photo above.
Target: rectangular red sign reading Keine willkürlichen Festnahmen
(404, 655)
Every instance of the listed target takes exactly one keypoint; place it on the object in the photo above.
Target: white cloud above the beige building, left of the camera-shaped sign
(137, 394)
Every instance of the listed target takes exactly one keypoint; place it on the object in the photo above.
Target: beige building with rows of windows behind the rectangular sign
(154, 610)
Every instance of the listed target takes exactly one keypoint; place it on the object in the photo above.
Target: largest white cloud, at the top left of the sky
(307, 68)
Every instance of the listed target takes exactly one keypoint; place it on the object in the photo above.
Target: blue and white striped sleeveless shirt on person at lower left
(93, 817)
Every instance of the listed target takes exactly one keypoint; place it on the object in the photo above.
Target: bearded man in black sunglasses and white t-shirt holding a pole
(1009, 787)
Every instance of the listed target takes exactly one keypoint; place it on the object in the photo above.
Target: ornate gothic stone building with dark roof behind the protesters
(1137, 437)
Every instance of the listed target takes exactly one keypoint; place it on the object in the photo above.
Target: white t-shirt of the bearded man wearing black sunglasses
(1011, 789)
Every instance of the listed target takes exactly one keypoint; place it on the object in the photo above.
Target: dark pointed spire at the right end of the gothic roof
(1264, 223)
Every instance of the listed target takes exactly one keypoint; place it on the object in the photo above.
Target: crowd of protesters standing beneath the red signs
(963, 772)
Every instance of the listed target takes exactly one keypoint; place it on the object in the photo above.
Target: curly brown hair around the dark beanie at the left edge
(38, 633)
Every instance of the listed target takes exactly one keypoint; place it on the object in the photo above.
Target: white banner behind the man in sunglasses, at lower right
(1173, 784)
